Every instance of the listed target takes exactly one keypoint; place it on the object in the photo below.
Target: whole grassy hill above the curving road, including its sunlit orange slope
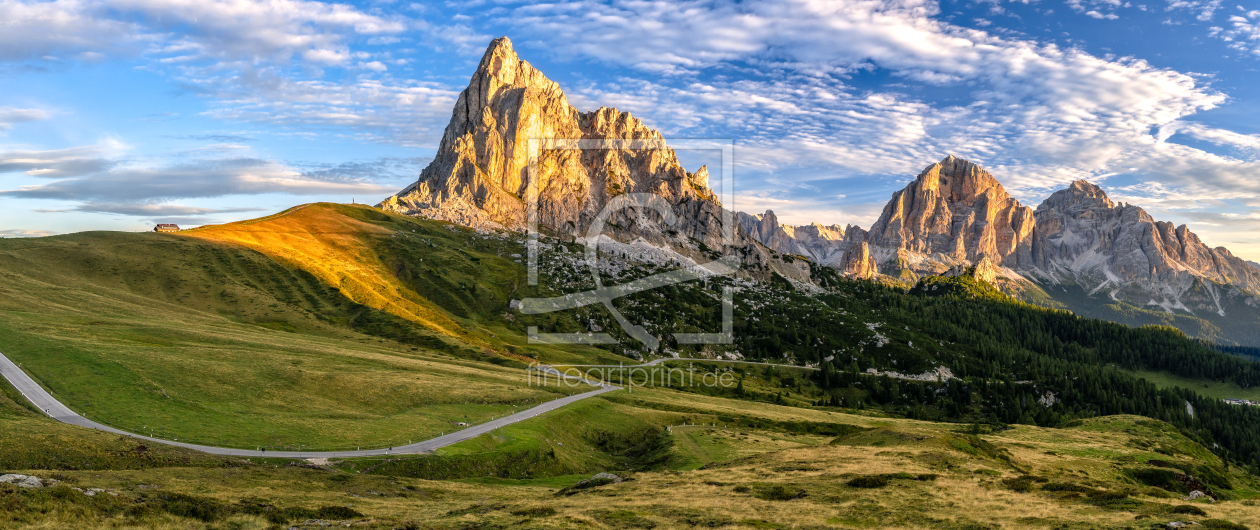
(207, 341)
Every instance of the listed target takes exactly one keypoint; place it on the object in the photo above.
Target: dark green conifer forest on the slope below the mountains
(1012, 362)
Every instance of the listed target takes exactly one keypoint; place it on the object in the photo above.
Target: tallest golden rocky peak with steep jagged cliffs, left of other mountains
(515, 139)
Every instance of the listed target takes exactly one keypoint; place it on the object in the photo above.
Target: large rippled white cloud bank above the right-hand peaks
(1040, 104)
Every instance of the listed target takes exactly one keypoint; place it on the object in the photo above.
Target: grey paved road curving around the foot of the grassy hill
(41, 398)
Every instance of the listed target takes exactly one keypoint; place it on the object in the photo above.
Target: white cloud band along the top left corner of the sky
(217, 30)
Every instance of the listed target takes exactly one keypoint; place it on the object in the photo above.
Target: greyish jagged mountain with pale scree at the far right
(1123, 250)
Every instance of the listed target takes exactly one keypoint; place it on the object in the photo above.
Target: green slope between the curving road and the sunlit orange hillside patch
(114, 324)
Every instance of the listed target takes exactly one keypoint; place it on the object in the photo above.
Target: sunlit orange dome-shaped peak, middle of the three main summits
(954, 213)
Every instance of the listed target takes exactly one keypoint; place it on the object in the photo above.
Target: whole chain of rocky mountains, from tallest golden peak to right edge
(1077, 251)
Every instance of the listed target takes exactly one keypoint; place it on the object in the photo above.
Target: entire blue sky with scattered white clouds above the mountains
(120, 114)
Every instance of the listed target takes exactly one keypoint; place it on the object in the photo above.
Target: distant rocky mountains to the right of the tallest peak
(1077, 250)
